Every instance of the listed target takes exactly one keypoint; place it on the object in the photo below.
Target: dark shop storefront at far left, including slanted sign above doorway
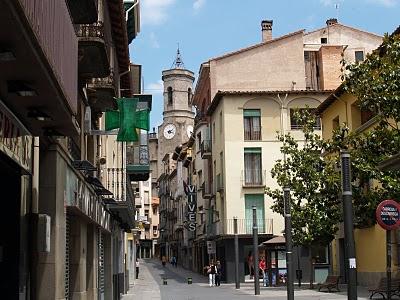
(15, 183)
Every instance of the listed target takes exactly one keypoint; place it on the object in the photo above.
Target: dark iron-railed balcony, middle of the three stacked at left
(93, 51)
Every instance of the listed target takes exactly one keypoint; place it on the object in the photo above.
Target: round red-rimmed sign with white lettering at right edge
(388, 214)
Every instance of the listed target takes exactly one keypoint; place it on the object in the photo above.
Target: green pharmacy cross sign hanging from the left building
(128, 119)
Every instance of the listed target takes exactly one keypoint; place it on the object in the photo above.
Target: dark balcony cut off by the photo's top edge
(83, 11)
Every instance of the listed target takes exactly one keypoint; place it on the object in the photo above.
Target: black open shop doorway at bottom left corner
(10, 187)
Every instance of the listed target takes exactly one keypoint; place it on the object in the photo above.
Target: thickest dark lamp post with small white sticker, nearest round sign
(347, 198)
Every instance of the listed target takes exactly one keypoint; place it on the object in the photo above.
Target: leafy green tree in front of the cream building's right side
(314, 184)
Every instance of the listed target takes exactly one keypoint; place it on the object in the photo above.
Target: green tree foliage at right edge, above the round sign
(376, 85)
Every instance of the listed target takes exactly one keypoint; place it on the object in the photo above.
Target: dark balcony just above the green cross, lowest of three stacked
(101, 93)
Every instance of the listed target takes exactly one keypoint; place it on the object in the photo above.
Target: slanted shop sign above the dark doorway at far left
(15, 139)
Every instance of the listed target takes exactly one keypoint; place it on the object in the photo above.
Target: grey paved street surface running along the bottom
(150, 286)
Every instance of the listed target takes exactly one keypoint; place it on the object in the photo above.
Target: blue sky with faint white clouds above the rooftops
(208, 28)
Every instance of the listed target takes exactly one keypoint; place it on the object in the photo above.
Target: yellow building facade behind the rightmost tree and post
(341, 108)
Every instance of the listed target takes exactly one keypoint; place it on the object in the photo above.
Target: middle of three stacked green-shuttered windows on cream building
(252, 167)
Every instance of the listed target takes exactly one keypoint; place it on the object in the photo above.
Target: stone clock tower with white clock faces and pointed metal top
(178, 117)
